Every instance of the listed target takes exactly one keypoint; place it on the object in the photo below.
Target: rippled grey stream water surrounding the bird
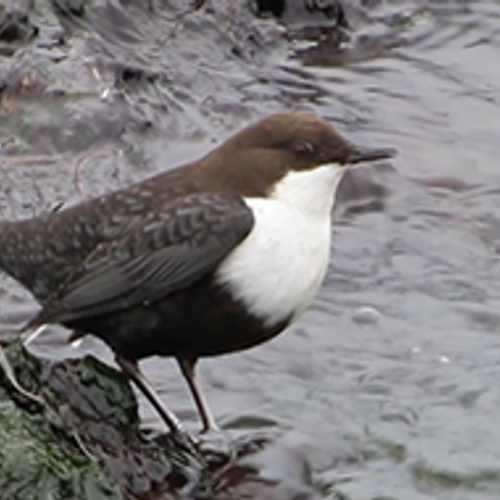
(390, 384)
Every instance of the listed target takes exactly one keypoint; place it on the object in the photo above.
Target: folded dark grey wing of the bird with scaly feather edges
(158, 255)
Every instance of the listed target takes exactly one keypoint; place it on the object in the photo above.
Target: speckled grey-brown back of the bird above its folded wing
(45, 252)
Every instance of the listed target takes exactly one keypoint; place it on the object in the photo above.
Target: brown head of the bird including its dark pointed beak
(255, 159)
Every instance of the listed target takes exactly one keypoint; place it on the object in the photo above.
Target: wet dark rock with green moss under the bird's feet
(83, 415)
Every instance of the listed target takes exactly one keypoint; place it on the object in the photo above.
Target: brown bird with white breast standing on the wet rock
(212, 257)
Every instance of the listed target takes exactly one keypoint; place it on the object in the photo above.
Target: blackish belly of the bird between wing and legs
(200, 321)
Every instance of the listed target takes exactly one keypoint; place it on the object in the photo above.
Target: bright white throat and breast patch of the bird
(277, 270)
